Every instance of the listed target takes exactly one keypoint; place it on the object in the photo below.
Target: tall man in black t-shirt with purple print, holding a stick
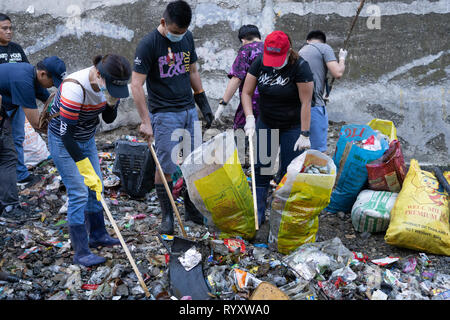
(165, 59)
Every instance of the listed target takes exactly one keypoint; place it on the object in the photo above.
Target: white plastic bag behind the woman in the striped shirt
(34, 148)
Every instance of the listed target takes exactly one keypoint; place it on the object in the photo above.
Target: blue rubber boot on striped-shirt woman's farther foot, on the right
(98, 236)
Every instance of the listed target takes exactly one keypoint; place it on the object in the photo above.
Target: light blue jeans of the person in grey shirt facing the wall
(319, 128)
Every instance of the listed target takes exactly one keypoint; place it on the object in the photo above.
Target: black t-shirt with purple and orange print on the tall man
(166, 65)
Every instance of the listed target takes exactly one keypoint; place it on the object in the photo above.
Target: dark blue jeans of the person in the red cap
(268, 142)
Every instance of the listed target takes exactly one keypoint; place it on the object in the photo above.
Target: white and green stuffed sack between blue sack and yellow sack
(372, 210)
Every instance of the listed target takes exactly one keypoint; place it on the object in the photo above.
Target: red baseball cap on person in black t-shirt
(276, 47)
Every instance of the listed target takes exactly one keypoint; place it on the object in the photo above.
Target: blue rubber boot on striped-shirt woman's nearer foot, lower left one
(79, 239)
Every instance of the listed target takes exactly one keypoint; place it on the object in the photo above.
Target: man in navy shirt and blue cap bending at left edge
(20, 85)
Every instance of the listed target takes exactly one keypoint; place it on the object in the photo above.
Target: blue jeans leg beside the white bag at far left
(18, 131)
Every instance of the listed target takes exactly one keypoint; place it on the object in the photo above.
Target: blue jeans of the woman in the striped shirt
(81, 198)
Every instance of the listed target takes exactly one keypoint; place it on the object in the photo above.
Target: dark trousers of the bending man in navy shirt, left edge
(8, 161)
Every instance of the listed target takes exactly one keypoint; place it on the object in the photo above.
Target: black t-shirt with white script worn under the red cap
(279, 103)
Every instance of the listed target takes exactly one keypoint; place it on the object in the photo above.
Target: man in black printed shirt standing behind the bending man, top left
(11, 52)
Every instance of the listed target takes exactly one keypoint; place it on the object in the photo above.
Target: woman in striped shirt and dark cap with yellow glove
(81, 98)
